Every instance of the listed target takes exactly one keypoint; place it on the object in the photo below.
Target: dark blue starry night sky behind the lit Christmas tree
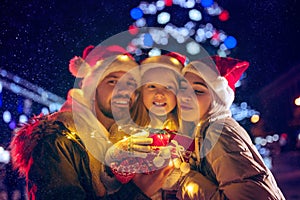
(38, 38)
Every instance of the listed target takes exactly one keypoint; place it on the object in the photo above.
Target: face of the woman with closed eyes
(194, 98)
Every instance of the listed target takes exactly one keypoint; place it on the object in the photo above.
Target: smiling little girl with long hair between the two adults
(156, 104)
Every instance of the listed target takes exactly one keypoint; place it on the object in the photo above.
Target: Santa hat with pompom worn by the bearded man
(98, 62)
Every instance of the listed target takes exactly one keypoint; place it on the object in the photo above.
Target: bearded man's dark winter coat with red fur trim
(61, 159)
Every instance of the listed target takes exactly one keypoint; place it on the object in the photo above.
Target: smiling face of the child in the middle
(159, 91)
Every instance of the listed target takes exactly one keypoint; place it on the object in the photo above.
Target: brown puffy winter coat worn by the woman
(230, 166)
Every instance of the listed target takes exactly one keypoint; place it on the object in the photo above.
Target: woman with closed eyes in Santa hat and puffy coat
(226, 163)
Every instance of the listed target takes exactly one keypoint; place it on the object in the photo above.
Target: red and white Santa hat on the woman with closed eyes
(220, 73)
